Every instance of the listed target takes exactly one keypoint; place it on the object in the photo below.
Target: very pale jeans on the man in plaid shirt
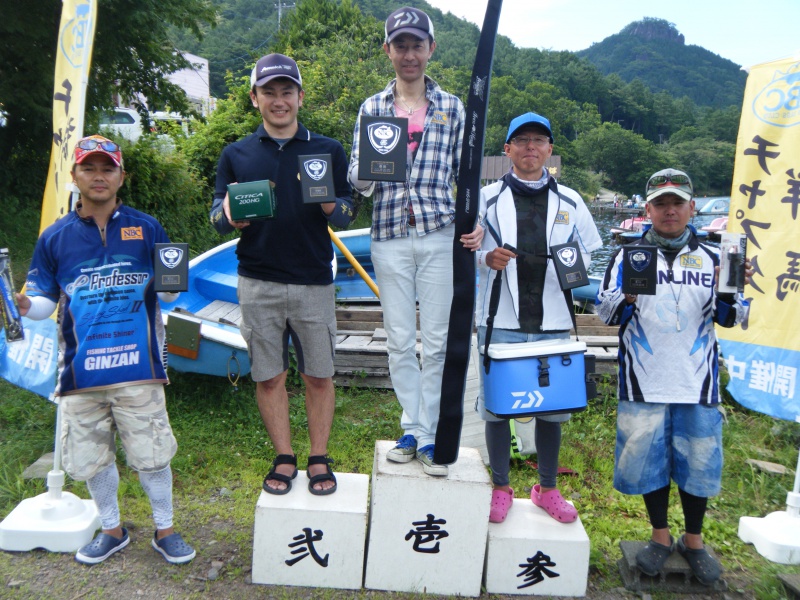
(409, 269)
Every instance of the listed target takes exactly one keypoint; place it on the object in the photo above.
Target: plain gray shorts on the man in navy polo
(272, 312)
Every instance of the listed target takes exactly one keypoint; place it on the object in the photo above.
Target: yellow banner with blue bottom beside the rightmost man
(763, 356)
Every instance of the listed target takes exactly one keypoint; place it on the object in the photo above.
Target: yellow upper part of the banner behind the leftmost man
(73, 58)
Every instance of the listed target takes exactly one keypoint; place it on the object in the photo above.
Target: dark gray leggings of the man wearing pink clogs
(548, 443)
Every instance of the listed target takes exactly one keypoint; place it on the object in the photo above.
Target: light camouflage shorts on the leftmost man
(90, 421)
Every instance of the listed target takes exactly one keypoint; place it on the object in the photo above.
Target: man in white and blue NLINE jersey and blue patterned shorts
(668, 423)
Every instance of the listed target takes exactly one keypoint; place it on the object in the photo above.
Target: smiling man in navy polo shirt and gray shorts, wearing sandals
(285, 280)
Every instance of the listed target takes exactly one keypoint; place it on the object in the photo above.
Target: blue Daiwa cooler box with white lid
(535, 378)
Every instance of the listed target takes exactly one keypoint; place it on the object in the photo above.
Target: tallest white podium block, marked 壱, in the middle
(428, 534)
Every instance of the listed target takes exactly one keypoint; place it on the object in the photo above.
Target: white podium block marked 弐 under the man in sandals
(314, 541)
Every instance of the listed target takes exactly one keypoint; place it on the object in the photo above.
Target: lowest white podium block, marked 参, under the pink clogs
(531, 553)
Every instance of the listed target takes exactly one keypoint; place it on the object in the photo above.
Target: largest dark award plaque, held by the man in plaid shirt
(383, 147)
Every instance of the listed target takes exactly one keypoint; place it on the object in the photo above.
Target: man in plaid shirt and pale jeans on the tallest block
(412, 230)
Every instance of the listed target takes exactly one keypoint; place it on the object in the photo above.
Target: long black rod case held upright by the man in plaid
(462, 307)
